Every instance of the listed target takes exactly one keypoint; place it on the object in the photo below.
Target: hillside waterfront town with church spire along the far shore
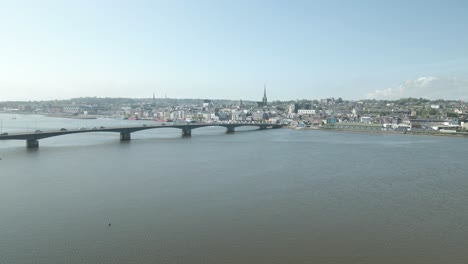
(403, 115)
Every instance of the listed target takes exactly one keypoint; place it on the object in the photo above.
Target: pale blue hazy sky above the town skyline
(230, 49)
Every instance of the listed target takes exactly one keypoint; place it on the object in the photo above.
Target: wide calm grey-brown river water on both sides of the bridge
(273, 196)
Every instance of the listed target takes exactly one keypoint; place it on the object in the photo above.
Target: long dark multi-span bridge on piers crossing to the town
(125, 132)
